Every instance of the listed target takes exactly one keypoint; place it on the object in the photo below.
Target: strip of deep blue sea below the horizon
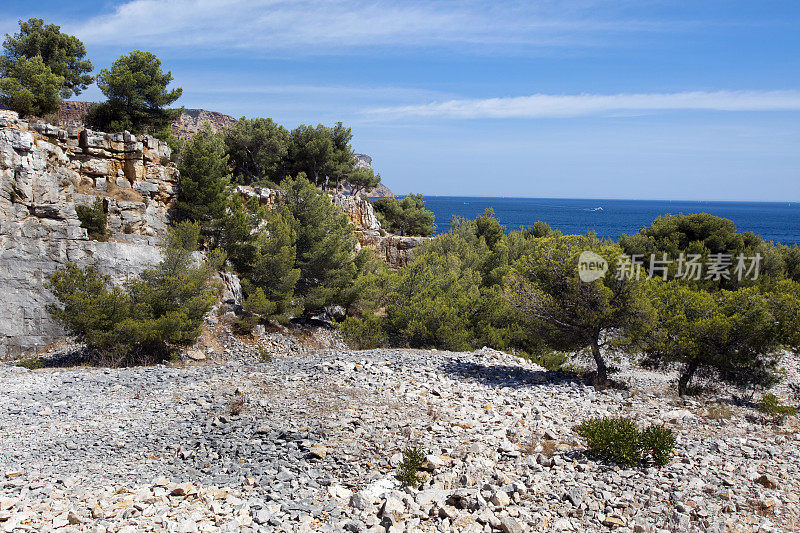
(778, 222)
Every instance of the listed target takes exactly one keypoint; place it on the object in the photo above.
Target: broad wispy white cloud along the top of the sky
(318, 25)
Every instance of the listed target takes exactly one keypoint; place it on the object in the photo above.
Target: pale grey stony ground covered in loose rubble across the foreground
(274, 435)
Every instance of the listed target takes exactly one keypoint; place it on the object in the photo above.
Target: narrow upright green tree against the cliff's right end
(204, 178)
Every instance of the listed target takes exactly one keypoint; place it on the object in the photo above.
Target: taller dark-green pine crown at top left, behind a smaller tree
(63, 54)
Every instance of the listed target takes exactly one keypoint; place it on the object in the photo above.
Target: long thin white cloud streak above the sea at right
(547, 105)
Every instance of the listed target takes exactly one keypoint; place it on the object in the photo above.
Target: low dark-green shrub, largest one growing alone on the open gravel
(620, 441)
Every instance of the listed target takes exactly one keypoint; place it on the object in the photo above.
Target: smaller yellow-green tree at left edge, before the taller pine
(29, 87)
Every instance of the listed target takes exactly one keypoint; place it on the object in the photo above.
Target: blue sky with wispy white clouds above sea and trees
(588, 99)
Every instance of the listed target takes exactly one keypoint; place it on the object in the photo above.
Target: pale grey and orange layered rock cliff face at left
(45, 172)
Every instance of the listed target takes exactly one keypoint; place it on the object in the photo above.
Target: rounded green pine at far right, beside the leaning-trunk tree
(730, 334)
